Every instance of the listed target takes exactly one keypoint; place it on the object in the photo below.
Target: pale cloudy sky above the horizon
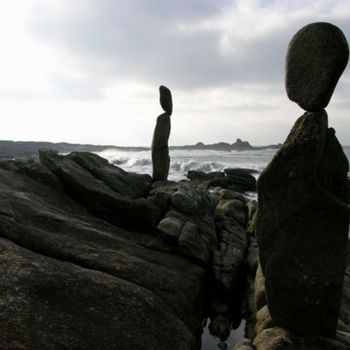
(88, 71)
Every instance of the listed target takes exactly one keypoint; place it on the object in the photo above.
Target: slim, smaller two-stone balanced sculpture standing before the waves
(160, 149)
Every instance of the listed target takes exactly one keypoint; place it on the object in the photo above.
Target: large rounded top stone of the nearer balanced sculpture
(316, 58)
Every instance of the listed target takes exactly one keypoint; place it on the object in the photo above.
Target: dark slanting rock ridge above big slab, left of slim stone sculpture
(99, 194)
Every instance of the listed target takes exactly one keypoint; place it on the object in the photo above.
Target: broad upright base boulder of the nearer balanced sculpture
(302, 228)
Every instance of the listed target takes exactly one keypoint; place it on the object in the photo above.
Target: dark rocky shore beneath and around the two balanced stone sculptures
(77, 272)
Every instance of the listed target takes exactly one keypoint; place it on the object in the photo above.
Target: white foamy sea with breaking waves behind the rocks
(181, 161)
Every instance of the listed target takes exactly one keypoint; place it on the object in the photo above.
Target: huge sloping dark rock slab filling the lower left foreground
(70, 280)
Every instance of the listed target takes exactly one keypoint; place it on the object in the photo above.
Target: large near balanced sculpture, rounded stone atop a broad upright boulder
(303, 216)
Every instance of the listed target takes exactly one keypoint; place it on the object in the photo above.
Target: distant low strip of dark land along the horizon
(29, 149)
